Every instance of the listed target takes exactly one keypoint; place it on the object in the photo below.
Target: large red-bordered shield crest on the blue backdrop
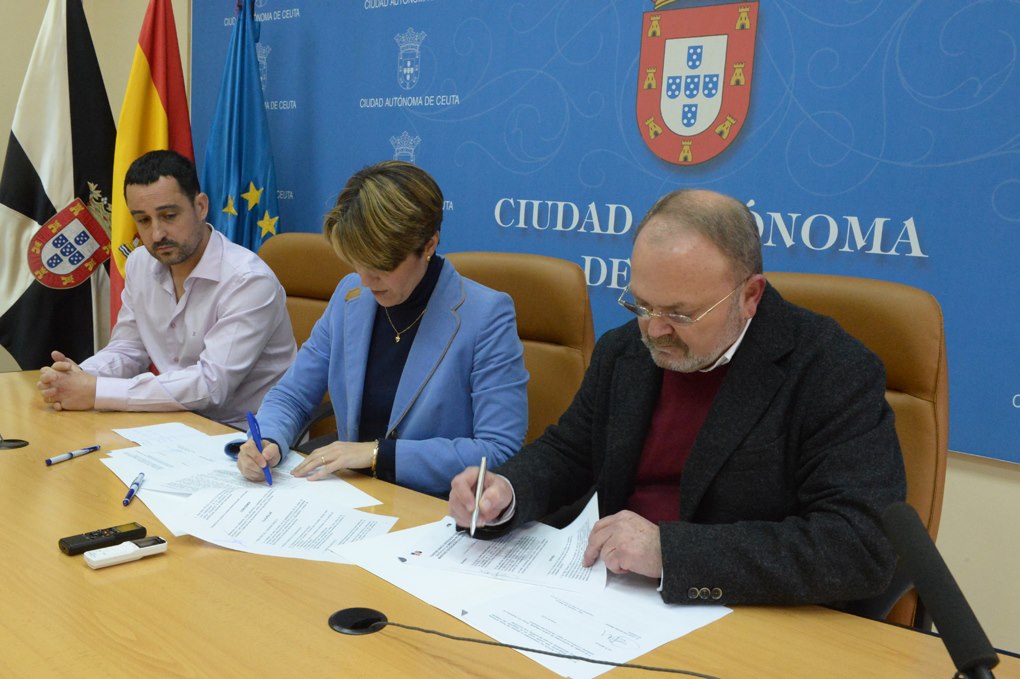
(694, 87)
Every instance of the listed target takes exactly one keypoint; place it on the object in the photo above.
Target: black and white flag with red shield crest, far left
(55, 199)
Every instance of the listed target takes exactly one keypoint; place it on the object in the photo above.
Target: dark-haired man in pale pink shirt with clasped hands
(208, 315)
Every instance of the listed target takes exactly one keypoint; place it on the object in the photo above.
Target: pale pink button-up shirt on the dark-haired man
(218, 350)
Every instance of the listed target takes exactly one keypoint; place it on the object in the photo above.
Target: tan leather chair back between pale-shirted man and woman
(310, 271)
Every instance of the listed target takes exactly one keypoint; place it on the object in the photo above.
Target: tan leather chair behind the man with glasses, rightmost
(903, 326)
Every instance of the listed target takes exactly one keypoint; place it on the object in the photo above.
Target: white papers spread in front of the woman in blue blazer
(195, 489)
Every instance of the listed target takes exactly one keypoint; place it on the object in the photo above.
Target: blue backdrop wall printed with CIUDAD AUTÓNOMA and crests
(880, 139)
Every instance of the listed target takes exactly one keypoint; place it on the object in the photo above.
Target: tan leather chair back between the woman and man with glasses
(554, 323)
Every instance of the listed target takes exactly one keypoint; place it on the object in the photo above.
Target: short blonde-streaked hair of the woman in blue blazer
(384, 214)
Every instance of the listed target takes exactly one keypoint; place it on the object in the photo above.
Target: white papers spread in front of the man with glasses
(533, 592)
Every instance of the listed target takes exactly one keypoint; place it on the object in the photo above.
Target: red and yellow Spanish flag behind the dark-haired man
(155, 117)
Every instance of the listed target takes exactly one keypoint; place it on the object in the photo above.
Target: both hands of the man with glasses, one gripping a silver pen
(626, 542)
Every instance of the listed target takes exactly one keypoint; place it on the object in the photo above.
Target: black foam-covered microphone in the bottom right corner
(966, 642)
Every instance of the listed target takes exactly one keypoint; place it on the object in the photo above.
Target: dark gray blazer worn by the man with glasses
(782, 498)
